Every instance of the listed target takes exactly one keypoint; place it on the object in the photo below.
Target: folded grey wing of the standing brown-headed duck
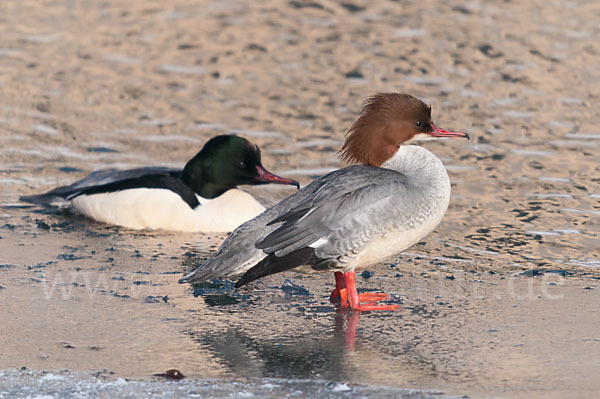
(342, 218)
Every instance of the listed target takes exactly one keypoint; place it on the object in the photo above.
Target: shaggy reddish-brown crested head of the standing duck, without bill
(386, 121)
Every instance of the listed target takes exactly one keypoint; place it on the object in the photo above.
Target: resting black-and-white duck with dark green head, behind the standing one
(201, 197)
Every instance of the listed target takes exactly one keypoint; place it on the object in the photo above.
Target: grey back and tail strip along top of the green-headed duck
(98, 178)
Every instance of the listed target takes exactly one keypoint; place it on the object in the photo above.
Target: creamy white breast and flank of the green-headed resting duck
(147, 208)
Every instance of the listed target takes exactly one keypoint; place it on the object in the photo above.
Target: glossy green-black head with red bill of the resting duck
(224, 163)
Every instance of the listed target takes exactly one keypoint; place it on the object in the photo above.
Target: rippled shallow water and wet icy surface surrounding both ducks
(501, 300)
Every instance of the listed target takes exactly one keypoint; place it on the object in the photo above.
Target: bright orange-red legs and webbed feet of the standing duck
(345, 290)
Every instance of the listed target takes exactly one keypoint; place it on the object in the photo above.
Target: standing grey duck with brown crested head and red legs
(354, 217)
